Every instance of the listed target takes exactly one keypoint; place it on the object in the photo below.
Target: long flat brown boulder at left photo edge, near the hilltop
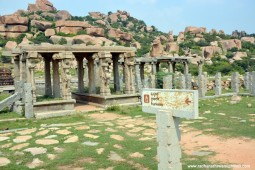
(13, 20)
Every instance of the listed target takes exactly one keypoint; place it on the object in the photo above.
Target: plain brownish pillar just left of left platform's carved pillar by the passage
(56, 78)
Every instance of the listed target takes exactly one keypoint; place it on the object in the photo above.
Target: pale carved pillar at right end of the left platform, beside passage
(67, 58)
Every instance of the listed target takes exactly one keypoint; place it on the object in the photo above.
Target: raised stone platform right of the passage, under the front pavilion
(105, 101)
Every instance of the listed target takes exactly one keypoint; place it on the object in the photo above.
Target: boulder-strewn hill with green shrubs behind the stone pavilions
(43, 23)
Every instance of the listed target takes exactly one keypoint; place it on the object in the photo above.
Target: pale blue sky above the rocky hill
(166, 15)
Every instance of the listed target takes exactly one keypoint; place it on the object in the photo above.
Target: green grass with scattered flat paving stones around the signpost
(135, 129)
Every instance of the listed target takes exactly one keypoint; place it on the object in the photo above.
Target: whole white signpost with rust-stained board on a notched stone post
(169, 106)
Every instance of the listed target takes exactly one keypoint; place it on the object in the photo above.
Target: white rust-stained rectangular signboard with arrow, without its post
(182, 103)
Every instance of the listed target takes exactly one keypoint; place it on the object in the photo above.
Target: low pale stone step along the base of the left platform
(44, 115)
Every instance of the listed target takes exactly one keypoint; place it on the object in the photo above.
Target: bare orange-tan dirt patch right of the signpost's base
(232, 151)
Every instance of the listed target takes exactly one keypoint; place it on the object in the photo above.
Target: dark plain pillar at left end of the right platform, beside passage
(80, 69)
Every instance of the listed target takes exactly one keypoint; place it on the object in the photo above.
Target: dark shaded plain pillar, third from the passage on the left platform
(47, 76)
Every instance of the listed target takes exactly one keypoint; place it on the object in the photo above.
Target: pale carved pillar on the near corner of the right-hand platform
(106, 69)
